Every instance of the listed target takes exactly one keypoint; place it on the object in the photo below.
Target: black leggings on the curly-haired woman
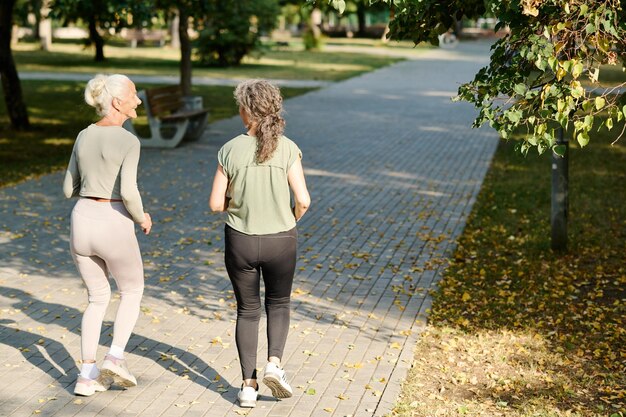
(247, 257)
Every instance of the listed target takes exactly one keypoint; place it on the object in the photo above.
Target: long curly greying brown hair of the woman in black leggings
(263, 104)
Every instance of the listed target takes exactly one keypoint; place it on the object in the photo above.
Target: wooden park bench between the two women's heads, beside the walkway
(169, 111)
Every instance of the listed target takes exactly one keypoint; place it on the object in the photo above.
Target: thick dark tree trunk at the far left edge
(16, 108)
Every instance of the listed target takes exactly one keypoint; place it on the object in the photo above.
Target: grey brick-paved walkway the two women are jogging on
(393, 169)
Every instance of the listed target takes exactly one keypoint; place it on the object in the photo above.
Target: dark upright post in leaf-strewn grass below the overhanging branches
(560, 181)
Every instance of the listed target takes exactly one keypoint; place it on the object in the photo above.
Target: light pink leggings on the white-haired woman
(102, 240)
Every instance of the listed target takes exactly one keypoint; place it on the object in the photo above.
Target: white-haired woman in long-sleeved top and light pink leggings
(103, 172)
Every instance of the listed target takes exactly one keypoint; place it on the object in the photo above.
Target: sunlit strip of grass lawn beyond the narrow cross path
(284, 63)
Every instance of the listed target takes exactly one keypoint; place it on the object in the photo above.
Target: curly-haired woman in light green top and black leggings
(252, 184)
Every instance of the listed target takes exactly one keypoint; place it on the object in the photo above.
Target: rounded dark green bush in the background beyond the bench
(232, 29)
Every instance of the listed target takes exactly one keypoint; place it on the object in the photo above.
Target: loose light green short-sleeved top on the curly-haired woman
(260, 200)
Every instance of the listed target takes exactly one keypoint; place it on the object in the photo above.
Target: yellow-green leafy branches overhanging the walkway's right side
(544, 73)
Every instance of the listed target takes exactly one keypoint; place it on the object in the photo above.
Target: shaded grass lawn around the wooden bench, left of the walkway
(48, 145)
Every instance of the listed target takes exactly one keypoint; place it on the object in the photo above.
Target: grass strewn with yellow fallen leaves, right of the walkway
(515, 329)
